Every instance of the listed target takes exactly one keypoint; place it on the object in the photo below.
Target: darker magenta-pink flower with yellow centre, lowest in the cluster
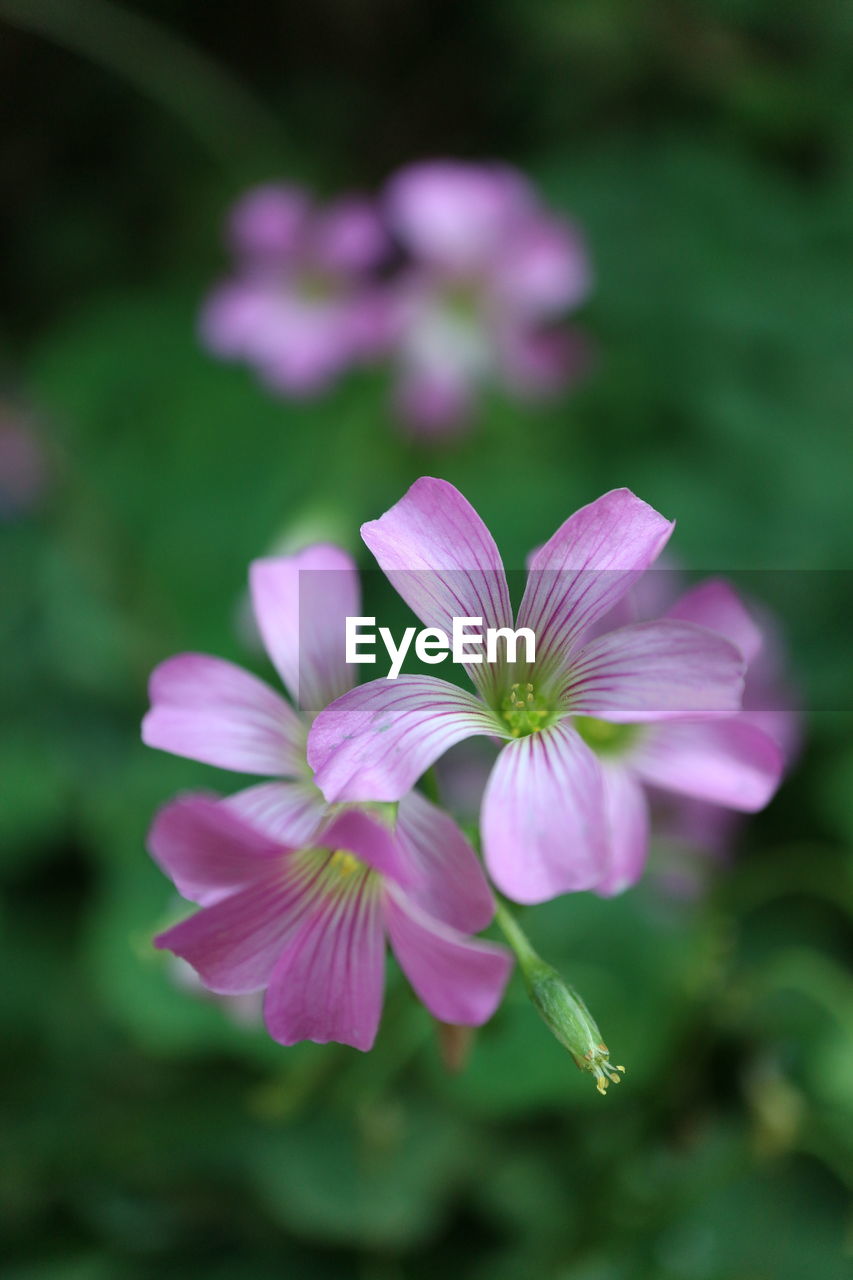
(308, 925)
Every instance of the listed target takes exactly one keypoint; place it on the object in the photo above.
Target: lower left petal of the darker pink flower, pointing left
(235, 944)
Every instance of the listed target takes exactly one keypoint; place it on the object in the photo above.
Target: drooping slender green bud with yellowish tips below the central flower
(559, 1005)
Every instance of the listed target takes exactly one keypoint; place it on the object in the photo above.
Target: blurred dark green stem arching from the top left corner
(225, 118)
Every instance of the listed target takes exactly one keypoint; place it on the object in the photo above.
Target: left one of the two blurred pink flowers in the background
(303, 304)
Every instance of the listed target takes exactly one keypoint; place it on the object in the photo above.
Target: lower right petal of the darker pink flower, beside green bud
(459, 980)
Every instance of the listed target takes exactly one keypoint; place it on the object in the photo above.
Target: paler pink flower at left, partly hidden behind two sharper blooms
(213, 711)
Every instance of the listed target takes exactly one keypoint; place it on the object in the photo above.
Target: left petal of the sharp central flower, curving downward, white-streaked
(376, 742)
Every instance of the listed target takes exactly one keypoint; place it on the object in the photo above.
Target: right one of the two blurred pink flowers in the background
(491, 275)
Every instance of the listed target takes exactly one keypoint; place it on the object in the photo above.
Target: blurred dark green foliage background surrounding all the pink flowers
(708, 150)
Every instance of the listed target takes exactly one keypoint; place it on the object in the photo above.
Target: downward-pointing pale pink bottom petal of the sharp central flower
(544, 817)
